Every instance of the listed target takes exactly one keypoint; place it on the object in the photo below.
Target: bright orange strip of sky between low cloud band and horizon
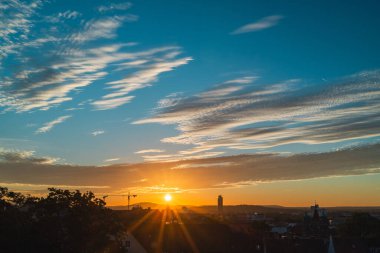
(328, 192)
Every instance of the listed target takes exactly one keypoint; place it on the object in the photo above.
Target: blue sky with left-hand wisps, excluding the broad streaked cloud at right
(311, 43)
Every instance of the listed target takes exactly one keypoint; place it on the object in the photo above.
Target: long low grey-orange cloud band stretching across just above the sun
(205, 173)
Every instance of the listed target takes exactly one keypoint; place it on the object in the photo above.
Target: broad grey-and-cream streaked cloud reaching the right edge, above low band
(243, 116)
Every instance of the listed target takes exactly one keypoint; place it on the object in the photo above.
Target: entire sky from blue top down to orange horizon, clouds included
(264, 102)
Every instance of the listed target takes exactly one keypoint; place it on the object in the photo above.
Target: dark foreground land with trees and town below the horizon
(74, 222)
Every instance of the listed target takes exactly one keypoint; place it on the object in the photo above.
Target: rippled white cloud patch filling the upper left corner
(60, 55)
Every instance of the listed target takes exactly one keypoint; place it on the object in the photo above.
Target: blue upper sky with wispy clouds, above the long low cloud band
(105, 82)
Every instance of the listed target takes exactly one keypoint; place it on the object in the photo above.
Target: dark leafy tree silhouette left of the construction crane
(64, 221)
